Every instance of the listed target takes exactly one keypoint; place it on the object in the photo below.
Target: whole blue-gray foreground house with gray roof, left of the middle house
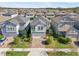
(12, 26)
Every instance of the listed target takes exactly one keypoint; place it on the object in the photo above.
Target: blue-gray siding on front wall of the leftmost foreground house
(8, 33)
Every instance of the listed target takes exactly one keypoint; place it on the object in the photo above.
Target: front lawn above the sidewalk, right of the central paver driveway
(55, 44)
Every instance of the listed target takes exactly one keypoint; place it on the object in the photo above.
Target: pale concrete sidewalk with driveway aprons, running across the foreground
(35, 51)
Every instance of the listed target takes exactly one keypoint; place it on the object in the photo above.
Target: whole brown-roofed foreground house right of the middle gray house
(65, 26)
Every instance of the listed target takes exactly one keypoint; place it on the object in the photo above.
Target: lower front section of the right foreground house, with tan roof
(68, 31)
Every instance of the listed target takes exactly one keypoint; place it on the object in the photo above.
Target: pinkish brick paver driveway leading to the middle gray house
(37, 42)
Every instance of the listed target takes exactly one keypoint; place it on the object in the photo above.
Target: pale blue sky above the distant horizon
(39, 4)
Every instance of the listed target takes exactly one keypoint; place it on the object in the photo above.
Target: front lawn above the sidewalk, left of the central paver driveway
(19, 43)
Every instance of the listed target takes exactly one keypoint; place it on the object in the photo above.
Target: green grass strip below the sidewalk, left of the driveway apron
(16, 53)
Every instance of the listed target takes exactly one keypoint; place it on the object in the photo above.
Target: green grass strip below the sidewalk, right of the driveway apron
(62, 53)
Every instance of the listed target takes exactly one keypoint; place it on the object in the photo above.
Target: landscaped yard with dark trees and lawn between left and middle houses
(23, 40)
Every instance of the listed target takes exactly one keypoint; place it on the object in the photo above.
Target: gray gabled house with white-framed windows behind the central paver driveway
(39, 26)
